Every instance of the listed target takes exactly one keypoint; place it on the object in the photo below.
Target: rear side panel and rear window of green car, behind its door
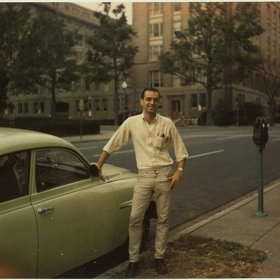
(18, 230)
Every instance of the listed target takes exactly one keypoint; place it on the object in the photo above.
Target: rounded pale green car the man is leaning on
(55, 212)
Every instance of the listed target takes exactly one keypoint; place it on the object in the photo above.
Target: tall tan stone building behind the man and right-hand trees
(156, 22)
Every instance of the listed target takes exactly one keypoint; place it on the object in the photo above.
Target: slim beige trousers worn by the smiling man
(150, 181)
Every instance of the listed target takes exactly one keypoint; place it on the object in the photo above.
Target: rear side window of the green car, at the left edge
(14, 178)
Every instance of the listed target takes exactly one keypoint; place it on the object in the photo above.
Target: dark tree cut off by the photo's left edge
(12, 24)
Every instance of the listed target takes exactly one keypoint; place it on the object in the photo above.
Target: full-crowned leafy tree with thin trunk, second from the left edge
(45, 57)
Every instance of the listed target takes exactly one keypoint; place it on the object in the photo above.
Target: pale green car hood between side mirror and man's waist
(113, 173)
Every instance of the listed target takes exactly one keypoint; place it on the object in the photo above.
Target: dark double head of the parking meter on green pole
(260, 131)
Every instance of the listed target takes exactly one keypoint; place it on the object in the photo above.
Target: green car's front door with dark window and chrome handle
(76, 214)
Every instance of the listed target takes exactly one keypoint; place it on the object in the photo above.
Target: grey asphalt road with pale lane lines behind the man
(222, 166)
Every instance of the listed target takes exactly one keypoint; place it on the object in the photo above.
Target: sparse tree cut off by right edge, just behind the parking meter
(269, 73)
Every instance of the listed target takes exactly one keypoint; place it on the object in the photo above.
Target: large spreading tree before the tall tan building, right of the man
(216, 48)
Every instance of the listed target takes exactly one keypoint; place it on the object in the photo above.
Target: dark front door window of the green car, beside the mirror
(57, 167)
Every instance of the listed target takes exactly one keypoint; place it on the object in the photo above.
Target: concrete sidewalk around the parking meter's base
(239, 223)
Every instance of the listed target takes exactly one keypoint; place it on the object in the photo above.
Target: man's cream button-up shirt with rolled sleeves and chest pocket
(150, 141)
